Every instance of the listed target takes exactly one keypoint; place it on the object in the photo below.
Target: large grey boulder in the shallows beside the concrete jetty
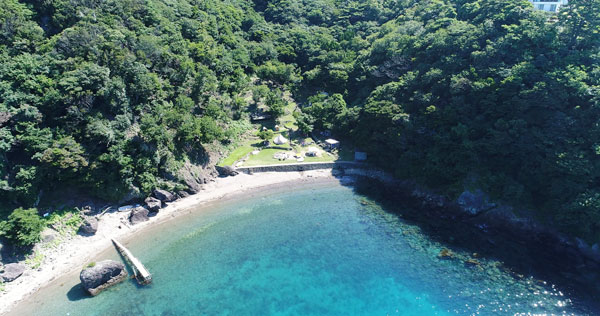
(97, 277)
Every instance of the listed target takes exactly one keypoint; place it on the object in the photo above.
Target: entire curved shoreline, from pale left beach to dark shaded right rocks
(471, 221)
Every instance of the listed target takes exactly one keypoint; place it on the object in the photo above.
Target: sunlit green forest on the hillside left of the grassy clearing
(111, 96)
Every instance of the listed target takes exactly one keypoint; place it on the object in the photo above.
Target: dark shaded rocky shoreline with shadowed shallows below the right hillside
(490, 229)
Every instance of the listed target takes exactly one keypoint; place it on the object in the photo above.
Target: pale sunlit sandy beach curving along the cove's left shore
(77, 251)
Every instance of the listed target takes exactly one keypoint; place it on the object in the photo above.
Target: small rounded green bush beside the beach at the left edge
(23, 227)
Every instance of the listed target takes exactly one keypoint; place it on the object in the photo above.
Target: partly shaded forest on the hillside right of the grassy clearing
(460, 94)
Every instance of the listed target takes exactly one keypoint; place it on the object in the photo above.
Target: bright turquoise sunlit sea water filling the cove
(313, 251)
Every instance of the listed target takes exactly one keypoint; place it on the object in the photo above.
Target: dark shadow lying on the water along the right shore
(521, 256)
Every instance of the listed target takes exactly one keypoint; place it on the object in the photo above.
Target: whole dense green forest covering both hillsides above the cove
(114, 97)
